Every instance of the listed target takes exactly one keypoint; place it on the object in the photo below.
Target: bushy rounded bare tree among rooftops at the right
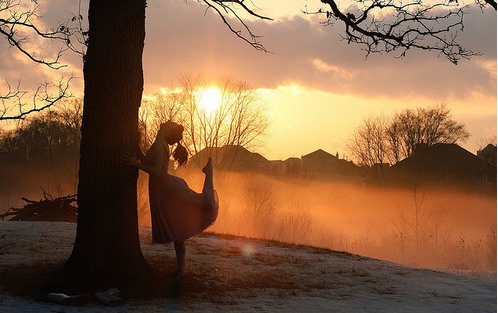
(388, 141)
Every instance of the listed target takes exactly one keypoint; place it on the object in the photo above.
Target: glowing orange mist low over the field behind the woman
(431, 228)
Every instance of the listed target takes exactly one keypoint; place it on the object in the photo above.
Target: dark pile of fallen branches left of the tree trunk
(48, 209)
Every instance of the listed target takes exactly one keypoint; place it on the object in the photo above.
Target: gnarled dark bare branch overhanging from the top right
(390, 25)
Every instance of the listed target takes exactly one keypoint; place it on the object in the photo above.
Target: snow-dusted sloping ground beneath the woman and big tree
(231, 274)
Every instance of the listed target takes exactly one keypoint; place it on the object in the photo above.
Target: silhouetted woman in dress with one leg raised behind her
(177, 212)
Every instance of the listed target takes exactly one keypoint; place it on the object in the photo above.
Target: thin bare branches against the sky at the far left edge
(18, 20)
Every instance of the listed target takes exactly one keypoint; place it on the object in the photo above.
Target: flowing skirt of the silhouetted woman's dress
(178, 212)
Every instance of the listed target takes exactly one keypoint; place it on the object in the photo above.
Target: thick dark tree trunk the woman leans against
(107, 249)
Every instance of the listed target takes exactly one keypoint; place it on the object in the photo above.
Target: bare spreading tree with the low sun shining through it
(240, 119)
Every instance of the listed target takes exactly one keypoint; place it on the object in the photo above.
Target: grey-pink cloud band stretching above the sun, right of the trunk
(181, 39)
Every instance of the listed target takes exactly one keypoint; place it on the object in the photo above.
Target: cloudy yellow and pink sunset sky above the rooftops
(317, 88)
